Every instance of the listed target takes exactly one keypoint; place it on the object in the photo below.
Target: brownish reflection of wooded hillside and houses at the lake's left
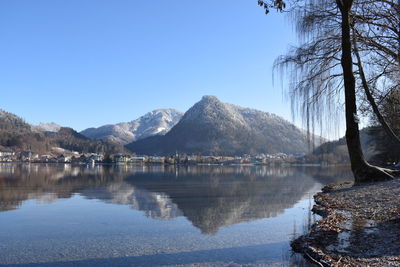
(20, 182)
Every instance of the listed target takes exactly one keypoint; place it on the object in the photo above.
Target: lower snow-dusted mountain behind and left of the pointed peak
(157, 122)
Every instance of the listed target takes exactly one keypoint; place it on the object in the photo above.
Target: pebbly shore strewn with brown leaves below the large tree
(360, 226)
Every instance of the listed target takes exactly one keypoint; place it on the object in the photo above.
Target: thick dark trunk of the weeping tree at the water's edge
(363, 172)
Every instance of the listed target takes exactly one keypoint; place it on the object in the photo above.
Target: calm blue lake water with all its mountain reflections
(61, 215)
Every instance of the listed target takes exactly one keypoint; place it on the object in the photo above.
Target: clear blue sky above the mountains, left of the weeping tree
(85, 63)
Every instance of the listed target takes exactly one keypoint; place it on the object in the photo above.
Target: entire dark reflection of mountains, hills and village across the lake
(210, 197)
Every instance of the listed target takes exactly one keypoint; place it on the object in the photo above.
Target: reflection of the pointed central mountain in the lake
(215, 199)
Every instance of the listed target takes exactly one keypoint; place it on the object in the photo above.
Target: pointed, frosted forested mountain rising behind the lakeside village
(212, 127)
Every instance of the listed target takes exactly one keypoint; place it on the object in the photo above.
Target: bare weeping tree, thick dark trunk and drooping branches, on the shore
(325, 27)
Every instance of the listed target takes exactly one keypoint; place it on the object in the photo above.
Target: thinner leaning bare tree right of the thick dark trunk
(375, 30)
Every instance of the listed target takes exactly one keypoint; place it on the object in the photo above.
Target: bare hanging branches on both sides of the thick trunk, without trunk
(316, 63)
